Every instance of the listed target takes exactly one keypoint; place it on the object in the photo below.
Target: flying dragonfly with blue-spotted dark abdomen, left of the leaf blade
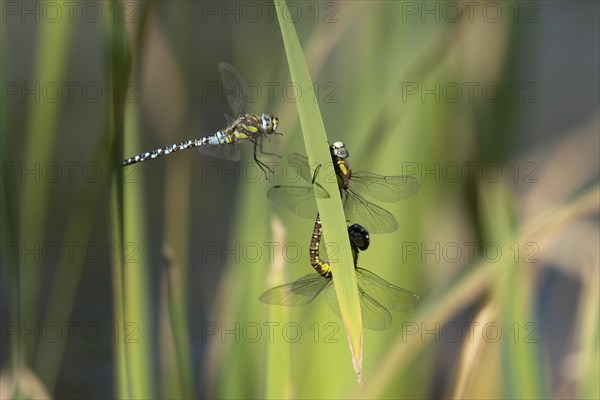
(224, 143)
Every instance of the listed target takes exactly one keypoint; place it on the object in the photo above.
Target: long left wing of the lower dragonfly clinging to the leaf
(298, 293)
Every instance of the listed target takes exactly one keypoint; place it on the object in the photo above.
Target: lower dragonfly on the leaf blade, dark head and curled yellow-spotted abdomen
(377, 296)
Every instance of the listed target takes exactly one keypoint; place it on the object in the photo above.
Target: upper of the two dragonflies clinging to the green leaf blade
(353, 186)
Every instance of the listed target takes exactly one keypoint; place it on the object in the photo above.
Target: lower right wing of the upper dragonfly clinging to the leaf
(374, 218)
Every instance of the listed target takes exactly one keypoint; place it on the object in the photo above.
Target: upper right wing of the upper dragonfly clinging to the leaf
(385, 188)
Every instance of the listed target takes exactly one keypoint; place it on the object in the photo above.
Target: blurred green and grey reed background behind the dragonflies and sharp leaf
(144, 282)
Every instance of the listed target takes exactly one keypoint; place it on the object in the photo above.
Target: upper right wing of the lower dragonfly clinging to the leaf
(392, 297)
